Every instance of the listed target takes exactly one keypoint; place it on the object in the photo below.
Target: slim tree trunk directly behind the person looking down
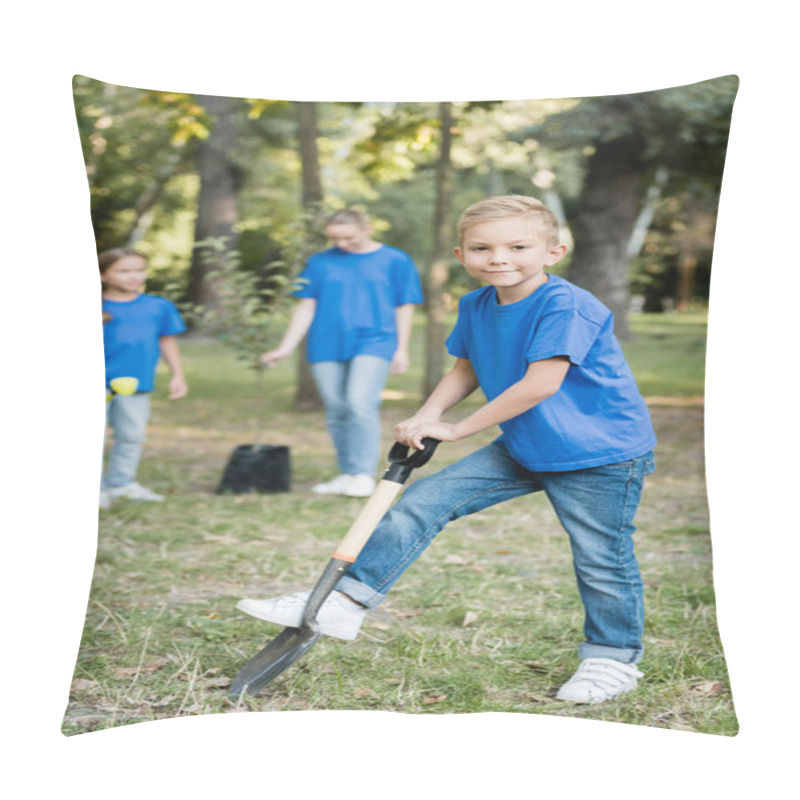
(307, 398)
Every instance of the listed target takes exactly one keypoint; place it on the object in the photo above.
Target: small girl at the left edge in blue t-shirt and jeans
(138, 329)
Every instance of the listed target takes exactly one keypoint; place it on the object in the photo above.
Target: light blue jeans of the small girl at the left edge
(127, 416)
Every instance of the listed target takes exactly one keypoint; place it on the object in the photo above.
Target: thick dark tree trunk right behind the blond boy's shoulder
(604, 223)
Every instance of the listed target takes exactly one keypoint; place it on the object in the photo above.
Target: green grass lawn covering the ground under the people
(488, 620)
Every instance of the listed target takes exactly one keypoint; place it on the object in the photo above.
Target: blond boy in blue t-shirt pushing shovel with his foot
(573, 425)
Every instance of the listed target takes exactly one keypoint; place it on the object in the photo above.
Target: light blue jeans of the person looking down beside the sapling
(351, 393)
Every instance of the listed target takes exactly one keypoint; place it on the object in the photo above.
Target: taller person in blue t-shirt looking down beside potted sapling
(357, 302)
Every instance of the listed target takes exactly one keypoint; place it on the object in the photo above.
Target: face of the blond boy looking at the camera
(509, 254)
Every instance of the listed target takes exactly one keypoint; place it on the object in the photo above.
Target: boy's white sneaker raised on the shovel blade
(338, 616)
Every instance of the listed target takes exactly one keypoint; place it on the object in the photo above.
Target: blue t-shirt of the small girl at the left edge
(131, 337)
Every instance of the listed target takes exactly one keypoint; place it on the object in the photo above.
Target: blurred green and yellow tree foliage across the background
(145, 150)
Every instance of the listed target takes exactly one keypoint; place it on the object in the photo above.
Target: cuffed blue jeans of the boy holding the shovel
(596, 507)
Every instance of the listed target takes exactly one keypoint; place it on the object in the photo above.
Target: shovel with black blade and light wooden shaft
(292, 643)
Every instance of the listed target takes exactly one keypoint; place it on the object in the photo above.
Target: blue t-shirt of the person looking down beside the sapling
(357, 294)
